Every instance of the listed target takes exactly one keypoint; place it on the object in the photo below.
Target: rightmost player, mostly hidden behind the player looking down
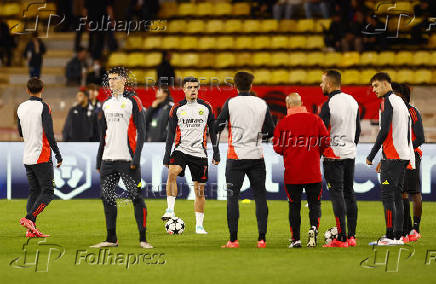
(412, 180)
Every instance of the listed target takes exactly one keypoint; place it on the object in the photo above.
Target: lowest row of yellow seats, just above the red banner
(297, 76)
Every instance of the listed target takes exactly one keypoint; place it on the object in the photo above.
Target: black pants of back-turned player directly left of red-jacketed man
(235, 173)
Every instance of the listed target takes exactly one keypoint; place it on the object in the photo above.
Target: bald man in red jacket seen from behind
(301, 137)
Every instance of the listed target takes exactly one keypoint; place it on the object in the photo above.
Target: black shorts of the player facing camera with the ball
(198, 166)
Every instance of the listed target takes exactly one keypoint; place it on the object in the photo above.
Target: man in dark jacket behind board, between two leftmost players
(79, 126)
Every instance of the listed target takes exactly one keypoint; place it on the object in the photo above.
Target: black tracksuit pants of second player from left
(110, 174)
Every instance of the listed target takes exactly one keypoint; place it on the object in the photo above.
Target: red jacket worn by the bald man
(301, 138)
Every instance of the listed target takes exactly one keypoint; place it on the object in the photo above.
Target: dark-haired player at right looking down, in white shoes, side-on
(395, 136)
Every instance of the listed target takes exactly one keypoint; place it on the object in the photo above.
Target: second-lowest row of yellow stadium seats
(277, 59)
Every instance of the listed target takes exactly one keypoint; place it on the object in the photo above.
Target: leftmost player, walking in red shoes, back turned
(35, 125)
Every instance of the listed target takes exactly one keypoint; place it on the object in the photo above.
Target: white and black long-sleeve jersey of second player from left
(122, 129)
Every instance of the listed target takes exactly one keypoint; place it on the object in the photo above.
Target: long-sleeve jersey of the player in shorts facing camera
(187, 129)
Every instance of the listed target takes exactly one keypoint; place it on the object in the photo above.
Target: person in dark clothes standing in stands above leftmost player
(33, 53)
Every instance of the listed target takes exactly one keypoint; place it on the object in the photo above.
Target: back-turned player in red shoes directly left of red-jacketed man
(249, 120)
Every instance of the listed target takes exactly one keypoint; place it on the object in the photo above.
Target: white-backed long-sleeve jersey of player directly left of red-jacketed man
(249, 121)
